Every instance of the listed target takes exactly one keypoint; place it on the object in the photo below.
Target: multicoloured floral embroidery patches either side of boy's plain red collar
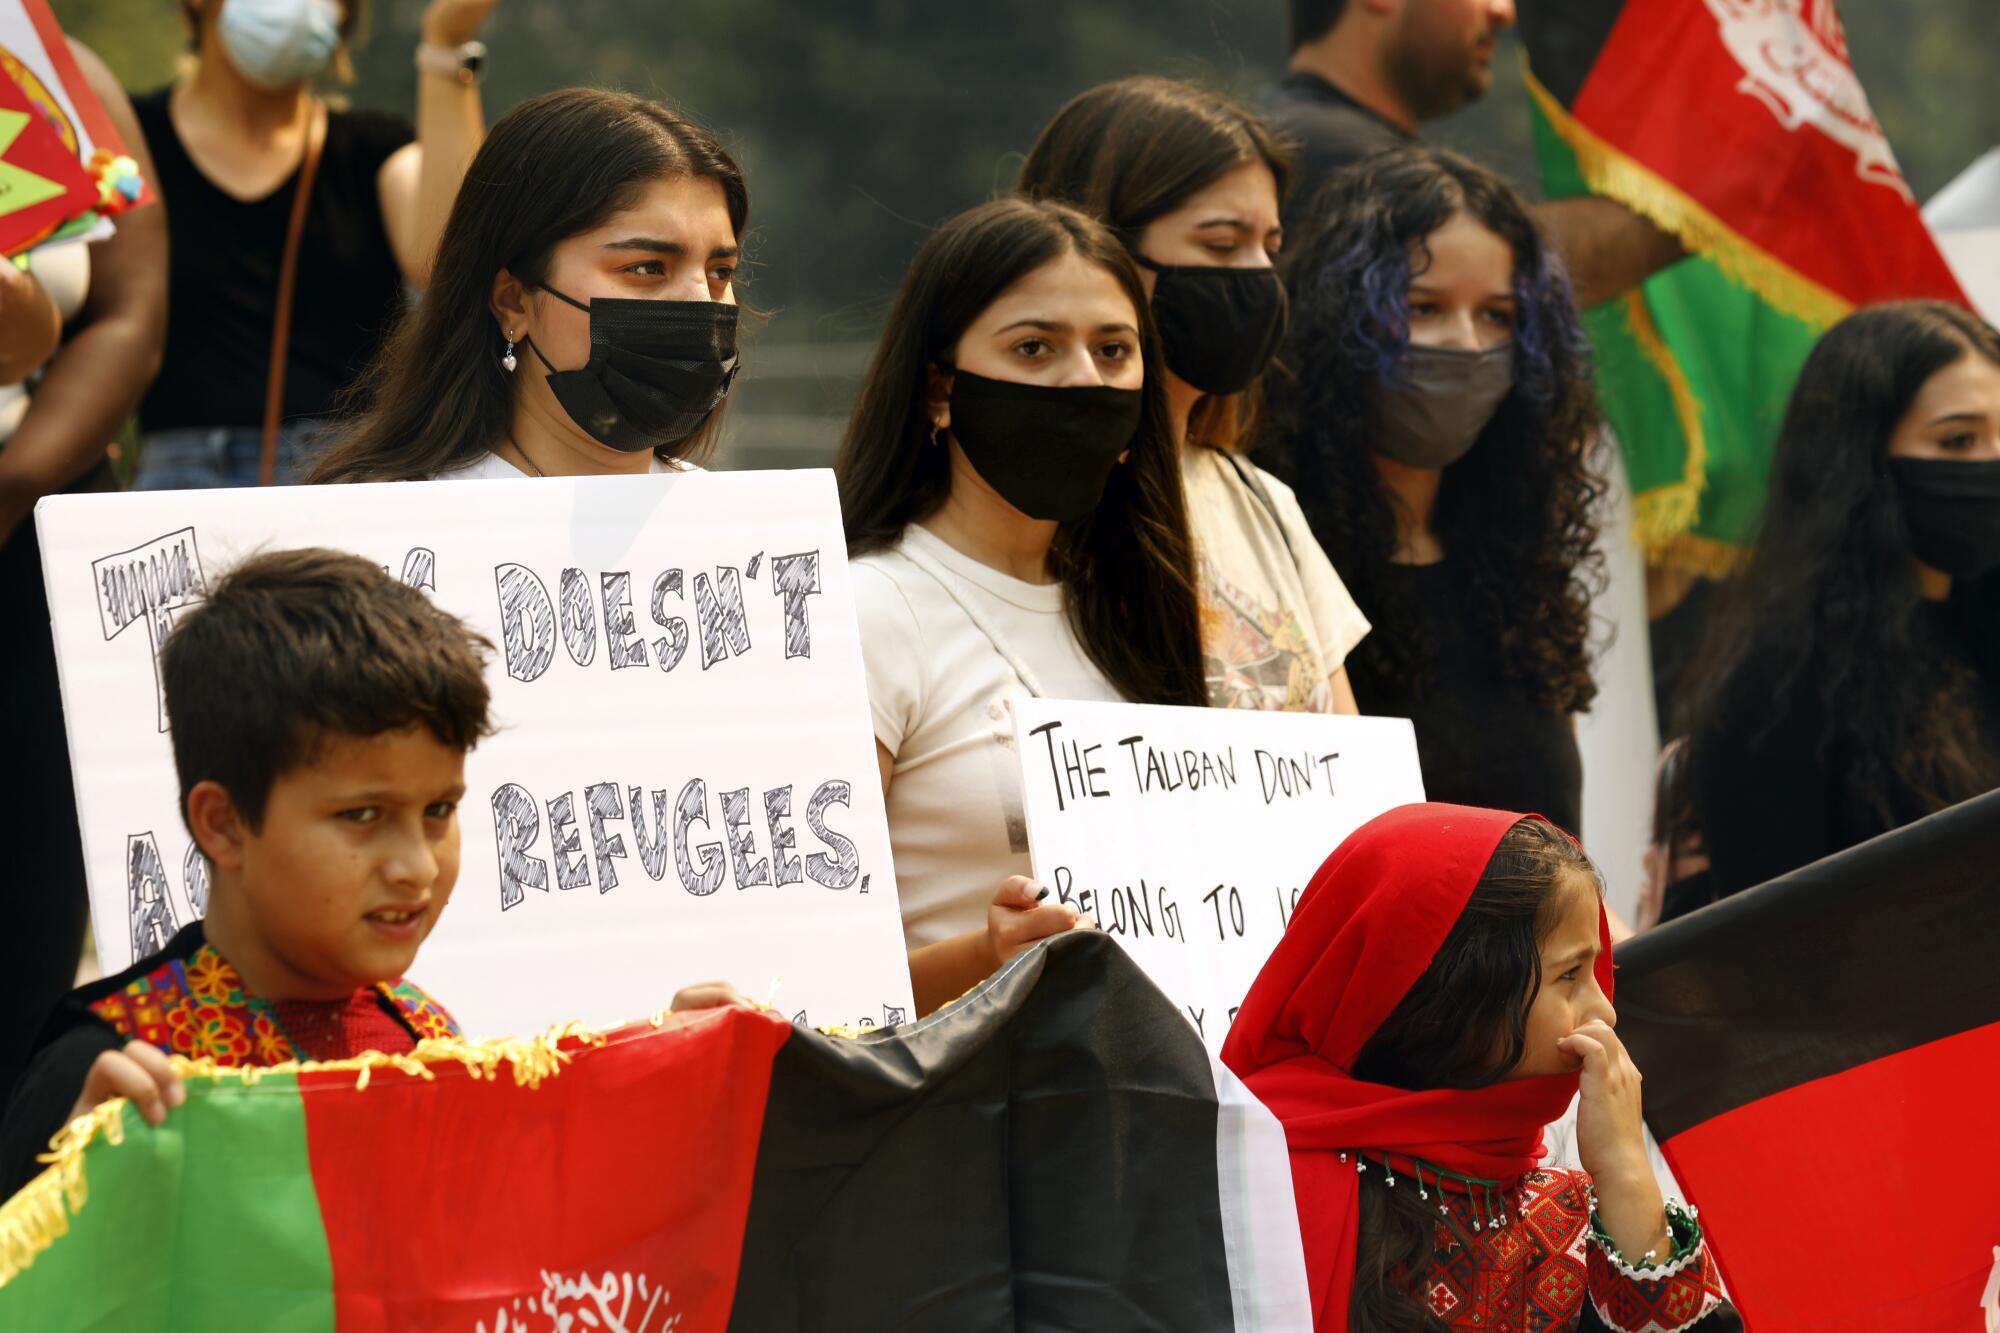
(197, 1008)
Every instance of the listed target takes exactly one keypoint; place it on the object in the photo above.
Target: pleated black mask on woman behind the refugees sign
(657, 369)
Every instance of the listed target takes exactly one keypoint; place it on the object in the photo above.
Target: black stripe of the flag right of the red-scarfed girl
(1855, 958)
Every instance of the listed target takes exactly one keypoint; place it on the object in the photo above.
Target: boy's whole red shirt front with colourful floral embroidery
(197, 1008)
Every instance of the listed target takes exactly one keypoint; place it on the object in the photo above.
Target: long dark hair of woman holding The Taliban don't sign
(1127, 569)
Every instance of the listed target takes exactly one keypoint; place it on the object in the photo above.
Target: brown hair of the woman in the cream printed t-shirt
(1135, 151)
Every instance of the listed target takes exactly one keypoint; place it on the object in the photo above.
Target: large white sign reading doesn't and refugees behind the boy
(683, 784)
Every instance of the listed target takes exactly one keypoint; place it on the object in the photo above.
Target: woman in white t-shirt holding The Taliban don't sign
(1017, 527)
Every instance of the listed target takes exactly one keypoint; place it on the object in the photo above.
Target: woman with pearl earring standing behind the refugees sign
(581, 315)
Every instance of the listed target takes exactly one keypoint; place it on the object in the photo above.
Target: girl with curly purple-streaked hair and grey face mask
(1437, 419)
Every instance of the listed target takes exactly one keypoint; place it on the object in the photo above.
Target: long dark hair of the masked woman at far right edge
(1831, 601)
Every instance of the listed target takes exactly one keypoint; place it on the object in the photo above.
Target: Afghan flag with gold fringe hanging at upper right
(1741, 129)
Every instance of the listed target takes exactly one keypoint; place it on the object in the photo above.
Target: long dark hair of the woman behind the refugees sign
(553, 167)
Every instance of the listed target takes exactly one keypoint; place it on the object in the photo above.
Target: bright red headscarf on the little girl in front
(1363, 934)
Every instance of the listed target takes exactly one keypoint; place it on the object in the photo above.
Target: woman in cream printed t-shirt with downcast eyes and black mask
(1193, 183)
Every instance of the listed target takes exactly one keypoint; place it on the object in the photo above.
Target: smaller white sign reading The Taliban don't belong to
(1189, 834)
